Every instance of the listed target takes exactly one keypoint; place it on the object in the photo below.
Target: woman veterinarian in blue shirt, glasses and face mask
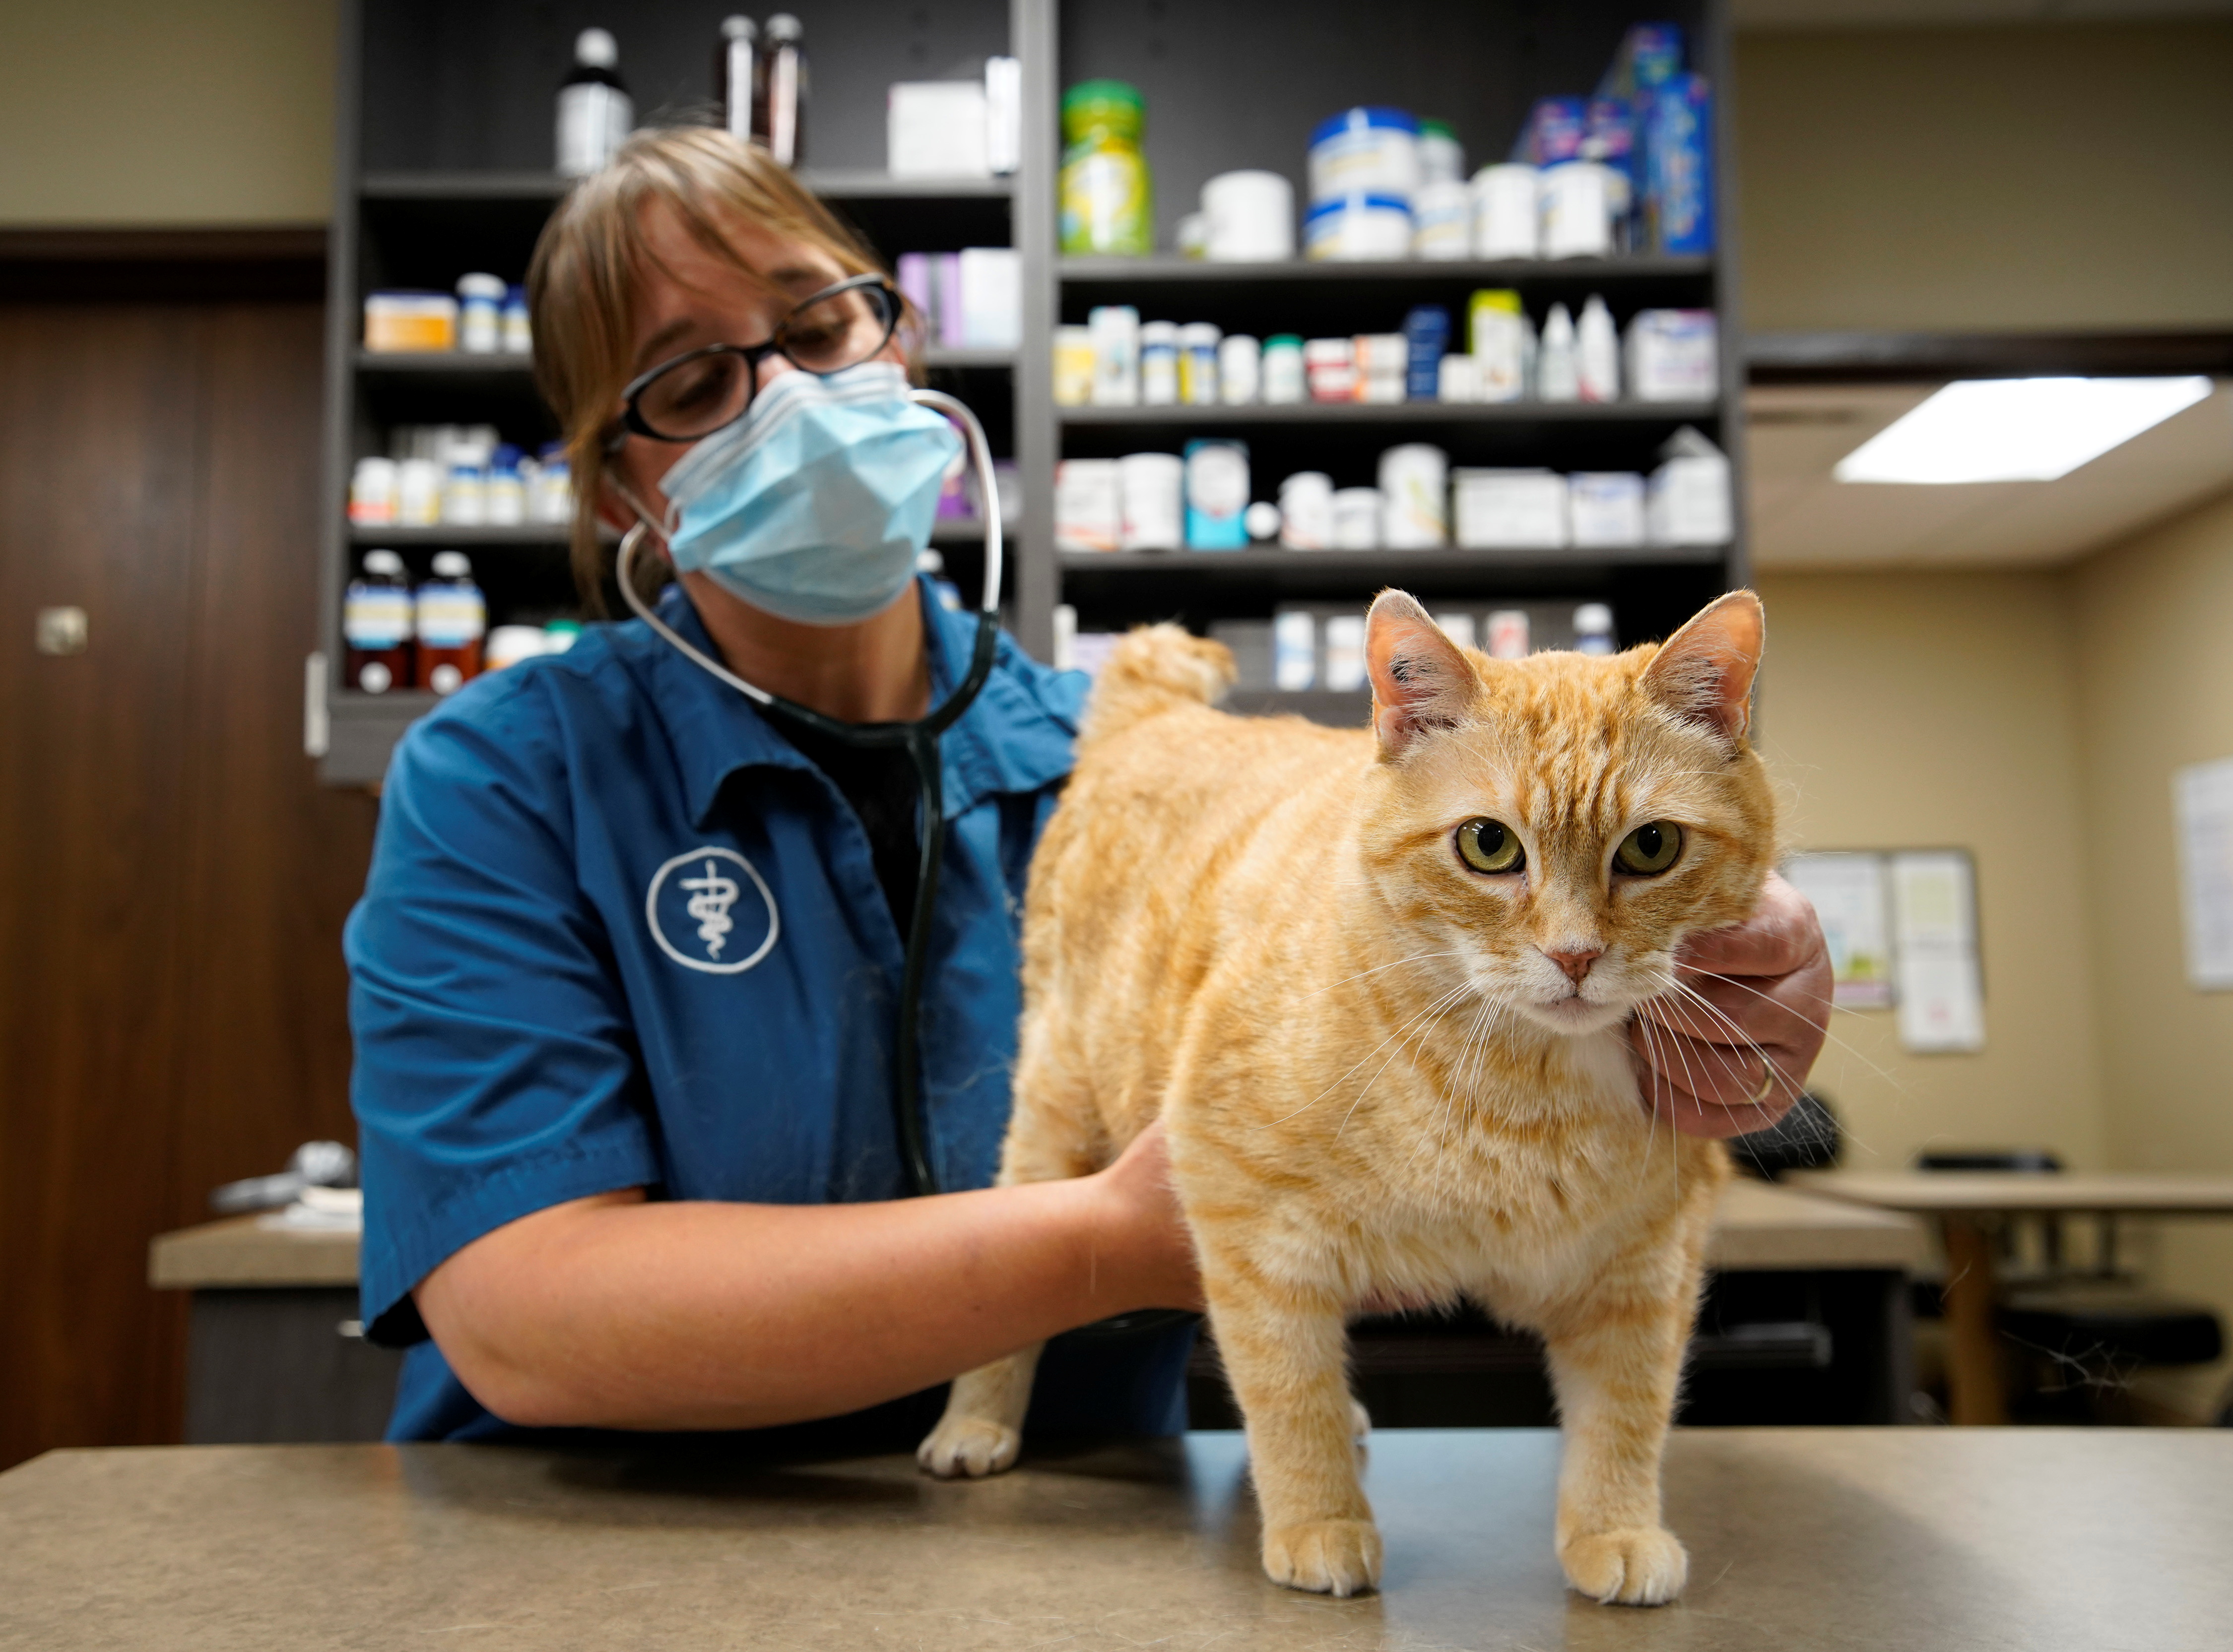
(626, 974)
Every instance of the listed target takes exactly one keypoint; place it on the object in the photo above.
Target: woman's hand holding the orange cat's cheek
(1738, 1062)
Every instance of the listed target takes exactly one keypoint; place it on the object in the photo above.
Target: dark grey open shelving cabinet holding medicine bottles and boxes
(445, 131)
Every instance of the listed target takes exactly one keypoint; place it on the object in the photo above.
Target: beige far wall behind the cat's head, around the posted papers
(1921, 711)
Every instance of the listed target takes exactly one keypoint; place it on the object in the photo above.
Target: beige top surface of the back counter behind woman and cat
(1761, 1227)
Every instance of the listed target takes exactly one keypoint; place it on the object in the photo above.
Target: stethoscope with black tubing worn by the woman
(921, 745)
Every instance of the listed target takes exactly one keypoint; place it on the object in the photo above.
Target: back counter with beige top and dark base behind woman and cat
(269, 1361)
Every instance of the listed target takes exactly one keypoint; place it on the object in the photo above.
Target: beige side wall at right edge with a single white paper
(2156, 693)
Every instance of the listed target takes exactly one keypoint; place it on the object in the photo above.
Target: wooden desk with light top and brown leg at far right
(1962, 1202)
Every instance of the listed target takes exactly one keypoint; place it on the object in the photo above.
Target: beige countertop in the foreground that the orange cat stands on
(1852, 1539)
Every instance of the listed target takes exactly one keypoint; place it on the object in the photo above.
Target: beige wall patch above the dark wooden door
(166, 113)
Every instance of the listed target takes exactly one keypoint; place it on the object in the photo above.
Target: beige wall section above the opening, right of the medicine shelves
(1937, 180)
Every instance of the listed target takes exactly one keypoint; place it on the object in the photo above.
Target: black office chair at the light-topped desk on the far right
(2085, 1332)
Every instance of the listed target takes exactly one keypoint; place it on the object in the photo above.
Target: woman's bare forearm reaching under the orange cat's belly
(709, 1316)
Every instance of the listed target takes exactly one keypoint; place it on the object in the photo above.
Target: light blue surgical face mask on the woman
(818, 501)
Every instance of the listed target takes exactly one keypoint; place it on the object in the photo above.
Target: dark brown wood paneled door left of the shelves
(173, 878)
